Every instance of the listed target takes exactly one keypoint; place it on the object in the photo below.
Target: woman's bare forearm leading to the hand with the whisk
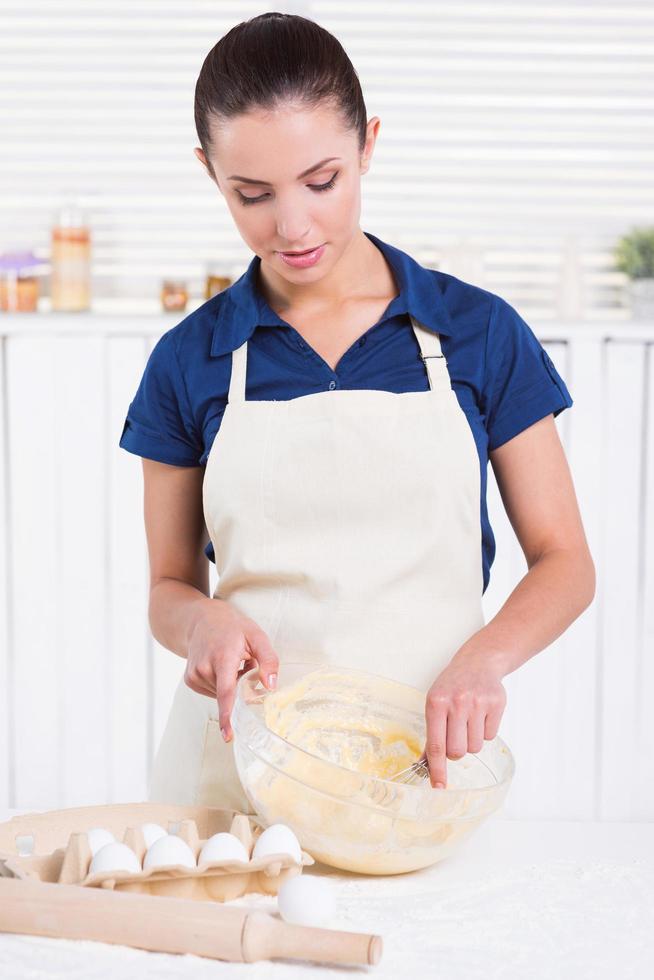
(554, 592)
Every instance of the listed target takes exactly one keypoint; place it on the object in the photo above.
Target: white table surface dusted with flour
(521, 900)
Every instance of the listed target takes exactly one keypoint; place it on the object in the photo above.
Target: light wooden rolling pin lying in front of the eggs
(172, 925)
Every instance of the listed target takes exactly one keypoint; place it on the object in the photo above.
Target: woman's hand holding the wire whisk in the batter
(463, 707)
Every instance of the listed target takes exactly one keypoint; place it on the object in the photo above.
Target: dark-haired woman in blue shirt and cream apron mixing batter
(321, 429)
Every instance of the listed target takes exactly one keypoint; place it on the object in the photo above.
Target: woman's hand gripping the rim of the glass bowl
(221, 638)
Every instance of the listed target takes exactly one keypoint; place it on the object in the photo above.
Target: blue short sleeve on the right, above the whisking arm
(521, 384)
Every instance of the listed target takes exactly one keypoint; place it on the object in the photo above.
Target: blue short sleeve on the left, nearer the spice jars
(159, 423)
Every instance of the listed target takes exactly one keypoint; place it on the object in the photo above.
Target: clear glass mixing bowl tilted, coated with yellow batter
(346, 818)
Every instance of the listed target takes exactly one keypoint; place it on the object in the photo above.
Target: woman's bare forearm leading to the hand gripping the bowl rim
(172, 613)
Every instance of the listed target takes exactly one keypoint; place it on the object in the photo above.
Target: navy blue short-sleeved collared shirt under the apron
(503, 378)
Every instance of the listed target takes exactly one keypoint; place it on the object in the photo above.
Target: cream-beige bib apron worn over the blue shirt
(346, 524)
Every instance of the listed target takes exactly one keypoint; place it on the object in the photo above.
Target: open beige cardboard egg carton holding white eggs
(210, 881)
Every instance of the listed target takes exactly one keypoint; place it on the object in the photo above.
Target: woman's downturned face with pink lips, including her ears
(279, 207)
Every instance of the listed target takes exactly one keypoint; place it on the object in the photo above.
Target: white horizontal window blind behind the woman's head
(516, 141)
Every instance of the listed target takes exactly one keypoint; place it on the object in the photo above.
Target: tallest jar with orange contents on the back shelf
(71, 261)
